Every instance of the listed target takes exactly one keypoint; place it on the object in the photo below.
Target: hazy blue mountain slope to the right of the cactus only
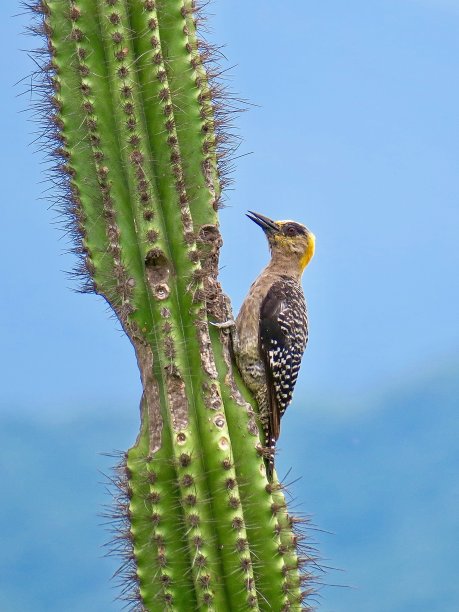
(383, 476)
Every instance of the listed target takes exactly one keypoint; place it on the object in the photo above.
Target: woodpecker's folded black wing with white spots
(283, 337)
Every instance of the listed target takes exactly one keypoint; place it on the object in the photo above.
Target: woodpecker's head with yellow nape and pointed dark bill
(287, 238)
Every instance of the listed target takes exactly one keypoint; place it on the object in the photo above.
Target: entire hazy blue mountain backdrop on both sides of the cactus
(381, 474)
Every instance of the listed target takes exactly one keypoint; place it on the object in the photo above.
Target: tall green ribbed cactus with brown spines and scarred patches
(140, 142)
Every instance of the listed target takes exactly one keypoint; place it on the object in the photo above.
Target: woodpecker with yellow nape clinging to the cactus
(271, 329)
